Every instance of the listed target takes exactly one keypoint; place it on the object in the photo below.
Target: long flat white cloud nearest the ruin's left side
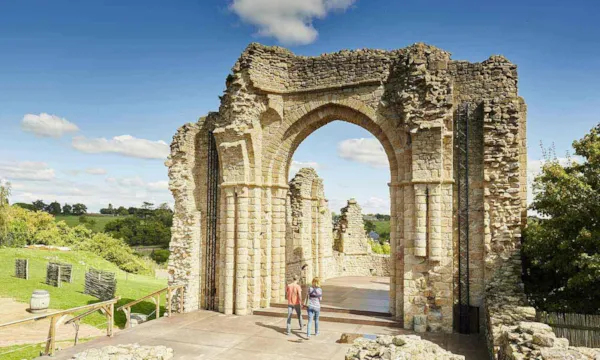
(125, 145)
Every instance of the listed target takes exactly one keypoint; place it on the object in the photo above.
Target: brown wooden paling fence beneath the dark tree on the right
(579, 329)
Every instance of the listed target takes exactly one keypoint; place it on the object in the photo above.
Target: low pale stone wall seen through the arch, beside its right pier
(362, 264)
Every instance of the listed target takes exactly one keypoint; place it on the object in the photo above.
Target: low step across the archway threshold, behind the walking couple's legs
(334, 317)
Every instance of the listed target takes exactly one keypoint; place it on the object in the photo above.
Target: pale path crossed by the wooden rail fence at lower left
(11, 310)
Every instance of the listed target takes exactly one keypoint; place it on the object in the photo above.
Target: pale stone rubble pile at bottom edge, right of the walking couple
(400, 347)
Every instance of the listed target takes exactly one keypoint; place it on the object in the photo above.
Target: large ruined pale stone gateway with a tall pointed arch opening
(409, 100)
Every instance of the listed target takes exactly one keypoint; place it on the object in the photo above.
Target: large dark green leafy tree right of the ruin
(562, 247)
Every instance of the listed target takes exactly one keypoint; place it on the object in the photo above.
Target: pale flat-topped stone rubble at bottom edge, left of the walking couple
(126, 352)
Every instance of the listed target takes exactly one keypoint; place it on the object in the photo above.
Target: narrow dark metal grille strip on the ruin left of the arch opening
(212, 201)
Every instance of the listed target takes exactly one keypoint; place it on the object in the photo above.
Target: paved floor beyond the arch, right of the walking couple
(357, 293)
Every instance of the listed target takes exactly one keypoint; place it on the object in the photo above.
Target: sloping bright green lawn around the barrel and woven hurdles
(129, 286)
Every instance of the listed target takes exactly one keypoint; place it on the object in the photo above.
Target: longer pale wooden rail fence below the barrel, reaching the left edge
(60, 317)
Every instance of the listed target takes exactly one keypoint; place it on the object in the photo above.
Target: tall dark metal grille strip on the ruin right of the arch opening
(462, 148)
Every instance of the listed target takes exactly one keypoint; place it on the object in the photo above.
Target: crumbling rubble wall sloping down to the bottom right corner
(510, 326)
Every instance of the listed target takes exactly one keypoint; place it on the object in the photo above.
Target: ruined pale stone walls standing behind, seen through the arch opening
(310, 237)
